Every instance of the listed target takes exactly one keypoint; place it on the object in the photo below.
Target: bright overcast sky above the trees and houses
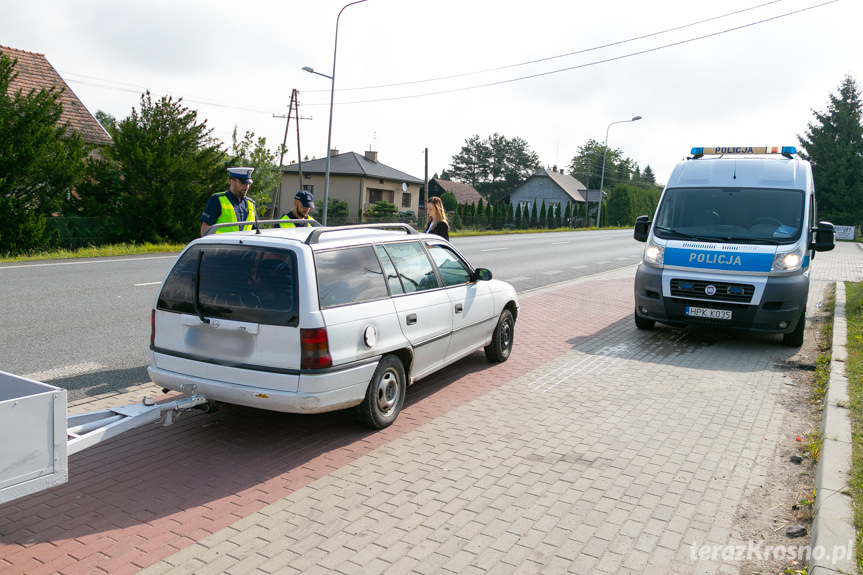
(417, 74)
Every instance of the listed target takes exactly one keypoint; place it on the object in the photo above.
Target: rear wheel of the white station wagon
(385, 395)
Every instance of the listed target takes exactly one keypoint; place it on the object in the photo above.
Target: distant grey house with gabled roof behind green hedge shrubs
(552, 188)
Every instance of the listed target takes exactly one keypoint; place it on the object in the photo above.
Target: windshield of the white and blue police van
(747, 215)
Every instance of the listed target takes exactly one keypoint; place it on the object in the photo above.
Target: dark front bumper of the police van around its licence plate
(780, 306)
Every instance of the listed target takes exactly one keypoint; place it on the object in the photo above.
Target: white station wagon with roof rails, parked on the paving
(316, 319)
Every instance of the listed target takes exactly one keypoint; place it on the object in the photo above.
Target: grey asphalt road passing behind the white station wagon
(84, 325)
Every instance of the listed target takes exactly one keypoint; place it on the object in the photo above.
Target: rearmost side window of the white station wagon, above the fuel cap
(348, 276)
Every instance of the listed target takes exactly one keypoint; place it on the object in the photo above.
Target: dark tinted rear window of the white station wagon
(240, 283)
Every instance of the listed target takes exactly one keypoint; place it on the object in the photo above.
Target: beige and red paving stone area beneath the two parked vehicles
(597, 448)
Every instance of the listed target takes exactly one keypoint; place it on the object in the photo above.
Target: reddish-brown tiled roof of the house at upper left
(34, 72)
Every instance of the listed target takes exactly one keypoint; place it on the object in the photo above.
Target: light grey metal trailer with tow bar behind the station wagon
(38, 436)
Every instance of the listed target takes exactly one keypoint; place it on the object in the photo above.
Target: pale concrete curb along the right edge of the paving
(833, 533)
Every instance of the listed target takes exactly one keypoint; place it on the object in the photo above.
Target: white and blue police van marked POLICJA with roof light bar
(731, 242)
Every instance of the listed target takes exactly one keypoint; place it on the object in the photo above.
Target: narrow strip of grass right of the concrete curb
(854, 373)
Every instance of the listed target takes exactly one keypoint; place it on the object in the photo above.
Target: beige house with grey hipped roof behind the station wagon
(360, 180)
